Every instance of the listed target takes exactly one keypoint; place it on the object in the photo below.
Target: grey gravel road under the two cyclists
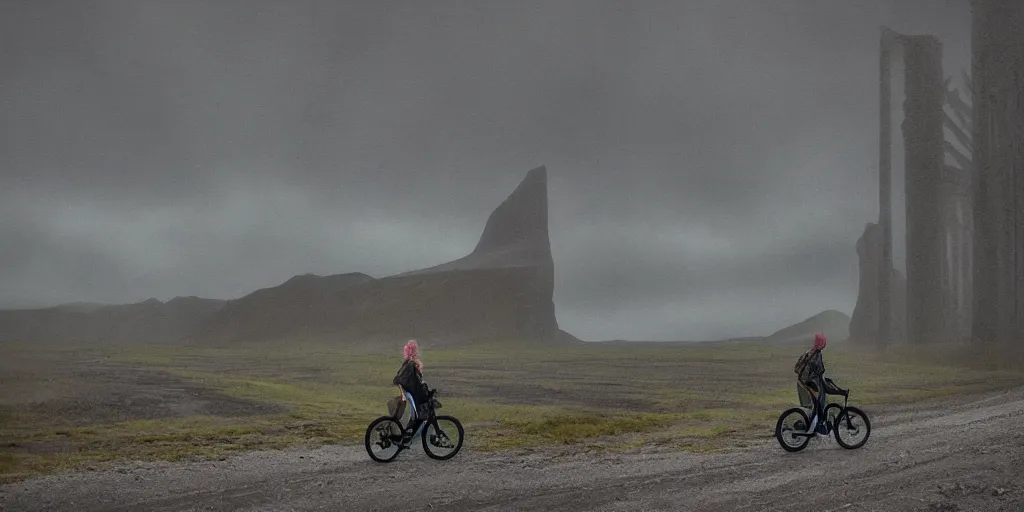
(966, 455)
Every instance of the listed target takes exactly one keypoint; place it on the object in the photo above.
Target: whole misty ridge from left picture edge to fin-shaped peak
(501, 291)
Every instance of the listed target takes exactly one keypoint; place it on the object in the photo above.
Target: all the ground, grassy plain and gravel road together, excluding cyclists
(603, 428)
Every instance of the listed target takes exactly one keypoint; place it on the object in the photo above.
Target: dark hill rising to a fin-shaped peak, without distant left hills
(501, 291)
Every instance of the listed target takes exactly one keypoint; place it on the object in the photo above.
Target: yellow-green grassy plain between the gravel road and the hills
(71, 408)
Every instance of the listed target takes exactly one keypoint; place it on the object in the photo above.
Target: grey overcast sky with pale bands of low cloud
(711, 163)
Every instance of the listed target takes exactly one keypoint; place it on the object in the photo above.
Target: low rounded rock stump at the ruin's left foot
(865, 323)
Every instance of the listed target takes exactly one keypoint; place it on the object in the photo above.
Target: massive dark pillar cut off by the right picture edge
(998, 62)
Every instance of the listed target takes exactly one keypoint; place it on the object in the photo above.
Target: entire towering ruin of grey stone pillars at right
(965, 219)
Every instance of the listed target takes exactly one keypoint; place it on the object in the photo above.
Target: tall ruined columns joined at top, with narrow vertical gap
(925, 312)
